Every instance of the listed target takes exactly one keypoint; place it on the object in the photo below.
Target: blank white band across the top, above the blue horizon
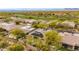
(39, 4)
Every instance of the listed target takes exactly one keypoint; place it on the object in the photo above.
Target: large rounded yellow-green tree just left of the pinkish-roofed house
(52, 38)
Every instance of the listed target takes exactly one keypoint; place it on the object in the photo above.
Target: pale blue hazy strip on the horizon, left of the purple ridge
(30, 9)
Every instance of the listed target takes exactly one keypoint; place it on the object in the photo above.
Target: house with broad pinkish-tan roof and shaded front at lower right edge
(70, 41)
